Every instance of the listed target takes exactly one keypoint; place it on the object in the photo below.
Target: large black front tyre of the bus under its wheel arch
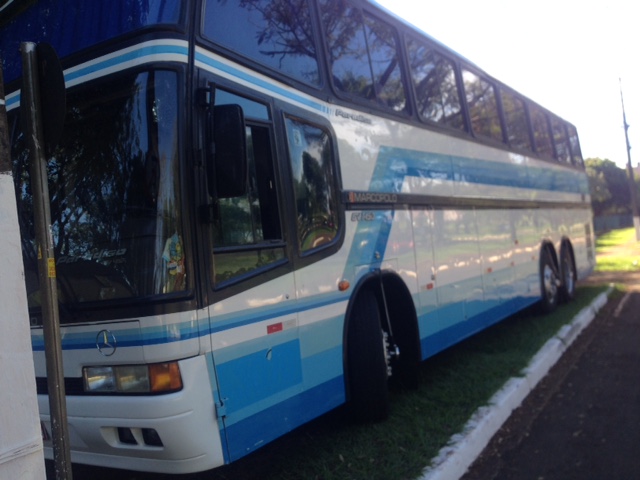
(367, 361)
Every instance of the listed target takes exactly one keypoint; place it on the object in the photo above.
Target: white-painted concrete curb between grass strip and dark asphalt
(456, 457)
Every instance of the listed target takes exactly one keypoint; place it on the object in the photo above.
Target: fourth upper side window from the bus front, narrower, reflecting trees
(482, 105)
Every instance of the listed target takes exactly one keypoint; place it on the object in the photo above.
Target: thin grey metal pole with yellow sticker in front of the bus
(30, 109)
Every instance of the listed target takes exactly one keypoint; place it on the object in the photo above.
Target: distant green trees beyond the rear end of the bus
(609, 187)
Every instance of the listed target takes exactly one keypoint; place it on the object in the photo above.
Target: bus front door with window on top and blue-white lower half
(252, 316)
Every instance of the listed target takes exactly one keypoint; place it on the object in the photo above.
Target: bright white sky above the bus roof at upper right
(570, 56)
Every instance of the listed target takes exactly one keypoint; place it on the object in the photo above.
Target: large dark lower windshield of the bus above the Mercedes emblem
(115, 192)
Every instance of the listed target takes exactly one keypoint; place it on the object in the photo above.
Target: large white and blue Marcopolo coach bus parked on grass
(265, 209)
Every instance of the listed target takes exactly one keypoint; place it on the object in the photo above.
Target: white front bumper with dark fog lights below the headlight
(172, 433)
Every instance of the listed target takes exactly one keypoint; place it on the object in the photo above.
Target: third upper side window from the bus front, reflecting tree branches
(434, 81)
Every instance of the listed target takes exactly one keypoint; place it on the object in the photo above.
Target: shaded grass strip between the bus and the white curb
(453, 385)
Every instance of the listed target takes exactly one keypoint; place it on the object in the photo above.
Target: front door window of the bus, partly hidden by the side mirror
(247, 234)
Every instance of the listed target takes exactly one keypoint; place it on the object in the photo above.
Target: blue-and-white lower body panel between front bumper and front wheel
(276, 368)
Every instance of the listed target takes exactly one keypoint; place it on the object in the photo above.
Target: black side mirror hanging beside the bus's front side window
(227, 169)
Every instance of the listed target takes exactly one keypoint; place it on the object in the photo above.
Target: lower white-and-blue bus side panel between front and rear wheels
(486, 269)
